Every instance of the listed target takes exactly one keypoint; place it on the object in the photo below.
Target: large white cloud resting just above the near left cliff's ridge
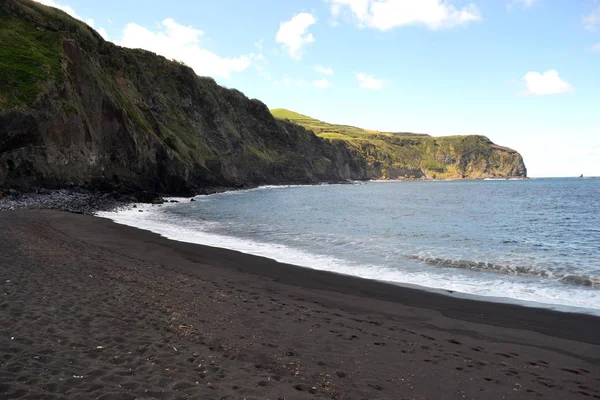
(182, 43)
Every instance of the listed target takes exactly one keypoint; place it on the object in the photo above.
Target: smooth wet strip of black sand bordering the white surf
(407, 294)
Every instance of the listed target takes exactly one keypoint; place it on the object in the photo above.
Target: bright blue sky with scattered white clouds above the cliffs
(525, 73)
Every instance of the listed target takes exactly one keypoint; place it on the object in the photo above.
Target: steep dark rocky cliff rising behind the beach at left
(77, 111)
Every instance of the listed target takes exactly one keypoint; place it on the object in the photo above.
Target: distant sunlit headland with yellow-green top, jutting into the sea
(403, 155)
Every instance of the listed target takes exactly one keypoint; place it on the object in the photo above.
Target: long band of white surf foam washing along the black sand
(152, 218)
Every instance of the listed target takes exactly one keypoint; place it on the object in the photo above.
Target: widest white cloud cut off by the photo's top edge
(388, 14)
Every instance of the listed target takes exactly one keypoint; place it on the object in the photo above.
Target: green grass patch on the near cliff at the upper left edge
(30, 61)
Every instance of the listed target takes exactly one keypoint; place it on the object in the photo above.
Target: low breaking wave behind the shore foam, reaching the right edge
(568, 278)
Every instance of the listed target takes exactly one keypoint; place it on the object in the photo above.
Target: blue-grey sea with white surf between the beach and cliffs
(534, 242)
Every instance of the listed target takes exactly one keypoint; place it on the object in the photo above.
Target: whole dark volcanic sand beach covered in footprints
(91, 309)
